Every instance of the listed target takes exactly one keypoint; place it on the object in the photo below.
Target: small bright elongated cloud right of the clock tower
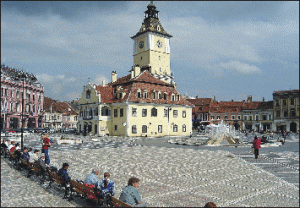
(239, 67)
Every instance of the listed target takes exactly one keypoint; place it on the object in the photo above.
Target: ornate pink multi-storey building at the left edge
(11, 100)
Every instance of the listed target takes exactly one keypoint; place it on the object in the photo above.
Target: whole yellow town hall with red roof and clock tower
(143, 103)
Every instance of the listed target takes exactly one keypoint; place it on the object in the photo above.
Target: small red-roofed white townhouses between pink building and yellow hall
(59, 115)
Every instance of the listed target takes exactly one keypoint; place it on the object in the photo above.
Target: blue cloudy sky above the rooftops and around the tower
(224, 49)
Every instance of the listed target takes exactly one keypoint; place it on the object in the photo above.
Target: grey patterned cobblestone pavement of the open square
(180, 176)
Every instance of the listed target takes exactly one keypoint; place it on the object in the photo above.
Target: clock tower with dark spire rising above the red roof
(151, 46)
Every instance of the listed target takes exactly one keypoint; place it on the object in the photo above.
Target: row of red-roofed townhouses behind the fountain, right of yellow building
(280, 114)
